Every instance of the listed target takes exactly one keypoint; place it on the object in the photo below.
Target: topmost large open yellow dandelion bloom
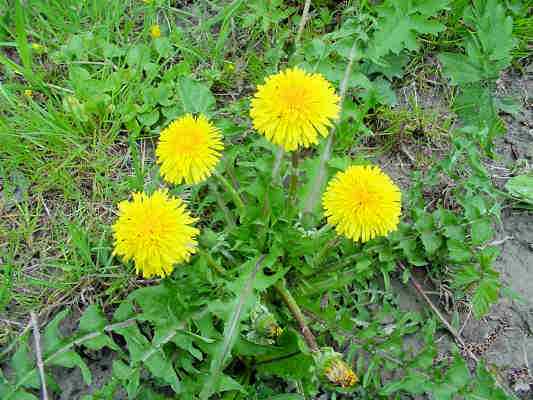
(292, 107)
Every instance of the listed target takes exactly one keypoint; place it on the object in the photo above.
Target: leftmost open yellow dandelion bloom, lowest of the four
(155, 232)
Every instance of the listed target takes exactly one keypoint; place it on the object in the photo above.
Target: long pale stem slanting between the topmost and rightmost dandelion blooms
(312, 200)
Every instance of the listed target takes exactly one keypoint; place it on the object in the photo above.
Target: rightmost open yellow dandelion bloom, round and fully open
(363, 203)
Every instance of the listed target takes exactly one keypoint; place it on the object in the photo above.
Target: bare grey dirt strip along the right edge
(513, 350)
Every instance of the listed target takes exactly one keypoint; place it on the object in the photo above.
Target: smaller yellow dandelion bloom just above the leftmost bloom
(189, 149)
